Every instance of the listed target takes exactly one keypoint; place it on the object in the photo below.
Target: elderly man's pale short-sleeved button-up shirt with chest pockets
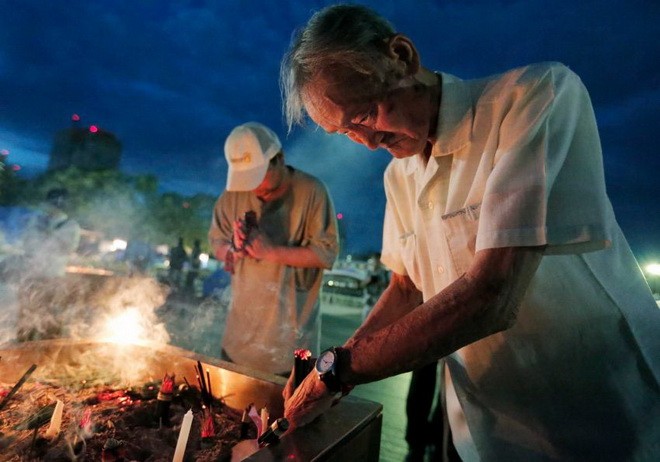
(518, 163)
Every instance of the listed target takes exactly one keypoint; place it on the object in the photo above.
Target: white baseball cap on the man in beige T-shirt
(248, 149)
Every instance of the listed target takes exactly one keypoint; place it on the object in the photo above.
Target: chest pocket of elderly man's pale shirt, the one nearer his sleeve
(461, 228)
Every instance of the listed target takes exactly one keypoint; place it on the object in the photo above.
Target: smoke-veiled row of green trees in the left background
(121, 206)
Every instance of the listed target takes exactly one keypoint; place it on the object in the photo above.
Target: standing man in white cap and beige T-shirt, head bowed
(277, 262)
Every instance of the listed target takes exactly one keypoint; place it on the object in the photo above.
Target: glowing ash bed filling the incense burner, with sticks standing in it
(124, 420)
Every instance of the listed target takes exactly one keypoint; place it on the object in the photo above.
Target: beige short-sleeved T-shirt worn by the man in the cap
(275, 307)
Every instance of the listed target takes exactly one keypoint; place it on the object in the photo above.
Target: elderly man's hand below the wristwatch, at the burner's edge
(310, 400)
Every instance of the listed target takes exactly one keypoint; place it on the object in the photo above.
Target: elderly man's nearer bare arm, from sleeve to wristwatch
(478, 304)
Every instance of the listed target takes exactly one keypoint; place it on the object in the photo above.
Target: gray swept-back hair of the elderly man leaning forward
(349, 36)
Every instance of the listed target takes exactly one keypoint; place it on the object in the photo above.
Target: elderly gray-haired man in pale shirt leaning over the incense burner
(507, 260)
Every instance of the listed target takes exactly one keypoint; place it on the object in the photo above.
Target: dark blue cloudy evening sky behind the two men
(171, 78)
